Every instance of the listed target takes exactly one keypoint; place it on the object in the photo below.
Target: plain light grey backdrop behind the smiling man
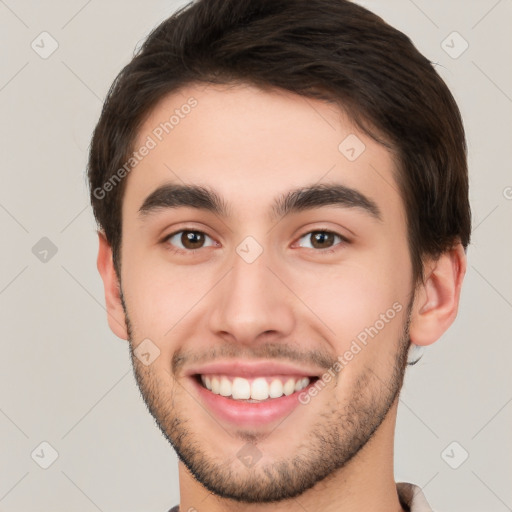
(66, 380)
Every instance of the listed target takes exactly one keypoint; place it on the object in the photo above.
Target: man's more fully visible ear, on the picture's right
(436, 300)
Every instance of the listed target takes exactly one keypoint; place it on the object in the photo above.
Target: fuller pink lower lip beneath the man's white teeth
(247, 414)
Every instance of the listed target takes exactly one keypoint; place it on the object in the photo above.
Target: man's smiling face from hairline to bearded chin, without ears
(268, 325)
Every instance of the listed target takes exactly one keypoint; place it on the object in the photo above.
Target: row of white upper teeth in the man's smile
(260, 388)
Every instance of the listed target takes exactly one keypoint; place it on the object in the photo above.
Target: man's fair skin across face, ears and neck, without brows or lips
(251, 146)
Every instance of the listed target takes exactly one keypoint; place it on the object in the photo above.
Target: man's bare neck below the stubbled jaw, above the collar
(365, 483)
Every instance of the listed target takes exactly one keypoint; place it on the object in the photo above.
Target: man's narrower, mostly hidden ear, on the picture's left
(115, 312)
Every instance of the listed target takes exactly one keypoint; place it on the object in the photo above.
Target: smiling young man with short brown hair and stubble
(282, 196)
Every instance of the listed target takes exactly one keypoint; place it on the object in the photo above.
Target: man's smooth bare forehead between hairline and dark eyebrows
(250, 145)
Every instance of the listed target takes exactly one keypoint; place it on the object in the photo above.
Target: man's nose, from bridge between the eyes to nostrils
(251, 303)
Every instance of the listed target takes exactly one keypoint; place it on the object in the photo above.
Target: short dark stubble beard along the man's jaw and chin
(331, 443)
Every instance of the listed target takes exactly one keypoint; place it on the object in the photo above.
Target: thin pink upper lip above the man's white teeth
(244, 368)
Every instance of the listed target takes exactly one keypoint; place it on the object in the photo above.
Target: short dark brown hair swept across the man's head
(333, 50)
